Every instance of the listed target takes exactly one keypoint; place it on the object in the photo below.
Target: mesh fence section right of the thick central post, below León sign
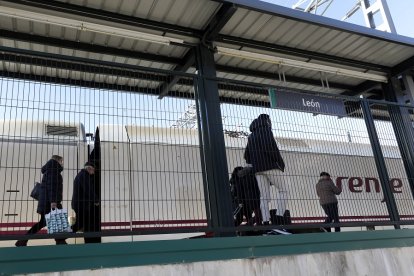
(309, 144)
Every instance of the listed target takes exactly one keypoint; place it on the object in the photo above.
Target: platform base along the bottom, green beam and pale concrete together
(387, 252)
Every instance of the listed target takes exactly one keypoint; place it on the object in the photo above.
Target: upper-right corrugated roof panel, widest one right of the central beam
(311, 37)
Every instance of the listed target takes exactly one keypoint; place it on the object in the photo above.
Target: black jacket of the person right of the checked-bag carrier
(84, 192)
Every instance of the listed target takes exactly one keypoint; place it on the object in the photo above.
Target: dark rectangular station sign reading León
(306, 102)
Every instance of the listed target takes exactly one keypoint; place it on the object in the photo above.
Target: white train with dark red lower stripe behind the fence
(152, 177)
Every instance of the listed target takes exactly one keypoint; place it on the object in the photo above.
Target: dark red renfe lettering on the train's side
(359, 184)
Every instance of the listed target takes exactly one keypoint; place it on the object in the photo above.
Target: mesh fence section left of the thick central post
(148, 165)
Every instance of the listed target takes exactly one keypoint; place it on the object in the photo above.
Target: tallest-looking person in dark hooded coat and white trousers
(263, 154)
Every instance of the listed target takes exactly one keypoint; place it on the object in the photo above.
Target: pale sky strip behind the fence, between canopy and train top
(34, 101)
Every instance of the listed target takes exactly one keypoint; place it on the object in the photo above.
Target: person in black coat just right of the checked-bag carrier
(85, 202)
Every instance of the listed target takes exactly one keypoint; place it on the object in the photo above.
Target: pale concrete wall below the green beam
(378, 262)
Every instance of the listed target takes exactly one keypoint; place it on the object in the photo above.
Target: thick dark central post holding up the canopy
(213, 146)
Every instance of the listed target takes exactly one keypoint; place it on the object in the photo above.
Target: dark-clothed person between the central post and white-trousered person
(246, 196)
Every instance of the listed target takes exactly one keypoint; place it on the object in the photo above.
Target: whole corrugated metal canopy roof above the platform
(294, 35)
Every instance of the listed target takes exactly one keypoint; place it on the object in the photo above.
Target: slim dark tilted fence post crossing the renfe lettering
(380, 164)
